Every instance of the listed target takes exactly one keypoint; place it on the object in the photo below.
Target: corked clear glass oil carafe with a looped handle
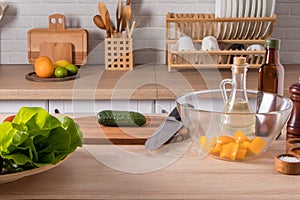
(238, 114)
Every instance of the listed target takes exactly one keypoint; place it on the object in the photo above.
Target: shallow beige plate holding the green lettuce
(15, 176)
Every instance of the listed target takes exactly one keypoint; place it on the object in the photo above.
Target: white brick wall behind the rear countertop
(23, 15)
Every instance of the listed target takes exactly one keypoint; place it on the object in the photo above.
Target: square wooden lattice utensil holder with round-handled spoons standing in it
(118, 54)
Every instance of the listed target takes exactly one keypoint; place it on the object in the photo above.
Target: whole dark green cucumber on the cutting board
(120, 118)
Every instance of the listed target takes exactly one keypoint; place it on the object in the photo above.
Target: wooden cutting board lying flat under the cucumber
(93, 133)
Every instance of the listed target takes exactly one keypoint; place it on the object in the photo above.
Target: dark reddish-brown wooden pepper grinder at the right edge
(293, 125)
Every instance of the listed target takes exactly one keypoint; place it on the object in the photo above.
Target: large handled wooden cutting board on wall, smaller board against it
(58, 42)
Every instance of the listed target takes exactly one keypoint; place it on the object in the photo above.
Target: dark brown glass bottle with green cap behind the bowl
(271, 77)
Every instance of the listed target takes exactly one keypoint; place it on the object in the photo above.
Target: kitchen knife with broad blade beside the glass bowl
(168, 128)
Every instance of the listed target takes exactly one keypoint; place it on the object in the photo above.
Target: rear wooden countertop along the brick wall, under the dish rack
(145, 82)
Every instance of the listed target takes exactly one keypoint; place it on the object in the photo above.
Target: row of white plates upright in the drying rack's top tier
(244, 8)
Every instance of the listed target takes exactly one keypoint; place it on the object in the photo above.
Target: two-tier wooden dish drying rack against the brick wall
(250, 30)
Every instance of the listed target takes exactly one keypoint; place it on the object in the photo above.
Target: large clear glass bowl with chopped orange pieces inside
(233, 136)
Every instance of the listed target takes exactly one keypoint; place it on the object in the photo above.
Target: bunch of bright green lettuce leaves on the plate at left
(35, 138)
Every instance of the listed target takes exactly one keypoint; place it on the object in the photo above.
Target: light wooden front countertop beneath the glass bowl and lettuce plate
(106, 171)
